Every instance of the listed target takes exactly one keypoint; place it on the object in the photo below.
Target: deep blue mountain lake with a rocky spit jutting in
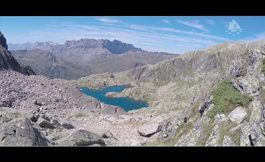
(125, 103)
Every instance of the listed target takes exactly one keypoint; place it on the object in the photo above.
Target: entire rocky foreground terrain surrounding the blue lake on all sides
(209, 97)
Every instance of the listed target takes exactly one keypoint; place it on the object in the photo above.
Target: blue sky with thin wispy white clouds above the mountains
(173, 34)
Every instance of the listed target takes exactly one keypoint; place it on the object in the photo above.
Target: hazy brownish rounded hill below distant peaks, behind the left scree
(46, 64)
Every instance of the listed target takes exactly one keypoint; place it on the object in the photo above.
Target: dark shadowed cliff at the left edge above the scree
(7, 61)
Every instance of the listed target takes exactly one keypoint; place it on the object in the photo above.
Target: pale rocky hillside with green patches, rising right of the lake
(217, 93)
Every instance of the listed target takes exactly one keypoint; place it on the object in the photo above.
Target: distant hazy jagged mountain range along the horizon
(82, 50)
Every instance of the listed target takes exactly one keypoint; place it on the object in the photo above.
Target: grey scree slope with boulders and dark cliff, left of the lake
(37, 111)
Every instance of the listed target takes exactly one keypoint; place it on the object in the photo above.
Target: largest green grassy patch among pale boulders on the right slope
(226, 98)
